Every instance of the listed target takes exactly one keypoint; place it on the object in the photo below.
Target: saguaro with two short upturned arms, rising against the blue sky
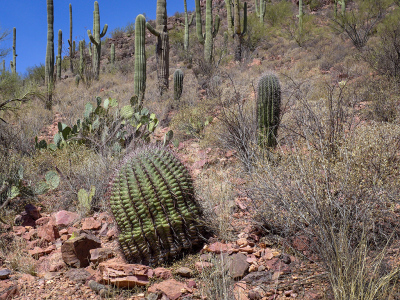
(96, 40)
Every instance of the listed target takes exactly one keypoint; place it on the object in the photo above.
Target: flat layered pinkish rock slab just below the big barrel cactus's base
(124, 275)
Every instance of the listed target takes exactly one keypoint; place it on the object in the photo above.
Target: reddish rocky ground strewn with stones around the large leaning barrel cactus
(78, 258)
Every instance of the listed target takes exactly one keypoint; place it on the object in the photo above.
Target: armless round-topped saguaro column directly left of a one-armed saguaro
(139, 80)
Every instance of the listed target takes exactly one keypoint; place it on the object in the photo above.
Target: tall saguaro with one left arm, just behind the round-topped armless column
(162, 47)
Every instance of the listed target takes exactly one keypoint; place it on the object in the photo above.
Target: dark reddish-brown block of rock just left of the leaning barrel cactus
(76, 251)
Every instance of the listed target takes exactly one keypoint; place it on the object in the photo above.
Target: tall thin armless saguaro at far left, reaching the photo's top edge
(49, 66)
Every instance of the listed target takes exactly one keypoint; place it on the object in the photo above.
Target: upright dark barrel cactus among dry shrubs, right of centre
(268, 110)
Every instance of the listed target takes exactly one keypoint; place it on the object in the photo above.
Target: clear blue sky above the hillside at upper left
(30, 19)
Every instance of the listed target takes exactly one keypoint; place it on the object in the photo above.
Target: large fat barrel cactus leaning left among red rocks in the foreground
(152, 199)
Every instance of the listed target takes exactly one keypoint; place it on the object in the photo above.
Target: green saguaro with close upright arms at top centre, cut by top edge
(206, 39)
